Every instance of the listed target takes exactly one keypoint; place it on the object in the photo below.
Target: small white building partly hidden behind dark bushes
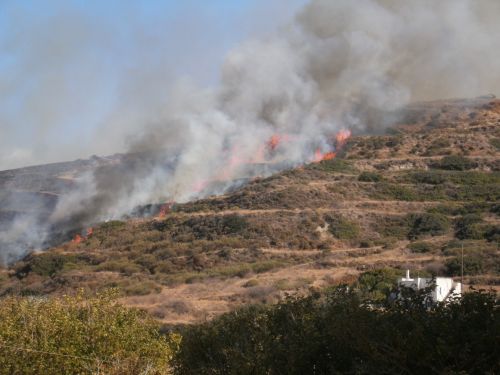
(443, 288)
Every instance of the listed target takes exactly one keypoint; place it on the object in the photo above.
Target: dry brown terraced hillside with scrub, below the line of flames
(410, 198)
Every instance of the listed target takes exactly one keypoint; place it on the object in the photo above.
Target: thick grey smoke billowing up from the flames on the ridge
(325, 71)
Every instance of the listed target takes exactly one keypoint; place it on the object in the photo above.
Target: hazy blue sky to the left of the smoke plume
(77, 75)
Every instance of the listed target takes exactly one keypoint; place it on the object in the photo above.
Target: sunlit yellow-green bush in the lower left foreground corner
(78, 335)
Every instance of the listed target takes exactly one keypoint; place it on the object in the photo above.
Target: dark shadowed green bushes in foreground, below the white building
(341, 333)
